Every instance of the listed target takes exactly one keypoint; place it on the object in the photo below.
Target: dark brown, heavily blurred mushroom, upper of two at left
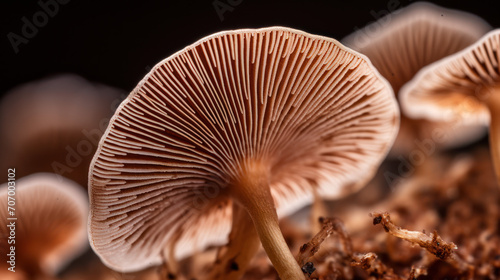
(54, 125)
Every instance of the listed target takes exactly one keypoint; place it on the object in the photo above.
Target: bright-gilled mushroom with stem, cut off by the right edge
(463, 88)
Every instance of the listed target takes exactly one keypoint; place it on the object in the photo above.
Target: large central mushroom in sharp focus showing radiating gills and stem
(242, 124)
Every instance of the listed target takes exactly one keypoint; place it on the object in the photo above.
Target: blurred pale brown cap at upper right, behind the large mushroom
(403, 42)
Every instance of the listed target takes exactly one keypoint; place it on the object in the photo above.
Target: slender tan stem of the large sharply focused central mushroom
(254, 193)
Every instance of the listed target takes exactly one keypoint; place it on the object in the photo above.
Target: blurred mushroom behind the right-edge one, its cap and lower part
(403, 42)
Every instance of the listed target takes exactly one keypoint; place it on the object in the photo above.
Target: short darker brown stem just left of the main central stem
(233, 259)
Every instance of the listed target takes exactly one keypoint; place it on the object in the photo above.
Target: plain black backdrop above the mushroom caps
(116, 42)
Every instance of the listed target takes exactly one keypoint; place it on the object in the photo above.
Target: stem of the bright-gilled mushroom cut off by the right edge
(493, 103)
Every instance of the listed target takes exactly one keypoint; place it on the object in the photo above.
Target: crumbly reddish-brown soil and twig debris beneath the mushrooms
(457, 196)
